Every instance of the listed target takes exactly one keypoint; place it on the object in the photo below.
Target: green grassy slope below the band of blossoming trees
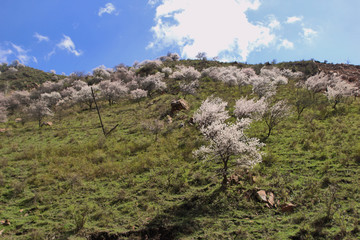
(130, 185)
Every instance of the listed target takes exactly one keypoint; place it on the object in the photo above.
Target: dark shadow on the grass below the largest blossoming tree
(175, 221)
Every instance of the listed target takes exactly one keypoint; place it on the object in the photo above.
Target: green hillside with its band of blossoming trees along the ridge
(143, 181)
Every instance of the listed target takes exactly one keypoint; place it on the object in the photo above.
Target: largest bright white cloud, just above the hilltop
(219, 28)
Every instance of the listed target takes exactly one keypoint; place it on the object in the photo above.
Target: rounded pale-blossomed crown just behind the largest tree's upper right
(245, 108)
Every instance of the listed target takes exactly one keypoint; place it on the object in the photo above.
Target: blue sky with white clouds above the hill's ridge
(80, 35)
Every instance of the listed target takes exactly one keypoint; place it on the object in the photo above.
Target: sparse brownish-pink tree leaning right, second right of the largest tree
(275, 114)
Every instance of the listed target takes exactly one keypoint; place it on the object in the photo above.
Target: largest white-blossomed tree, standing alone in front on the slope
(226, 140)
